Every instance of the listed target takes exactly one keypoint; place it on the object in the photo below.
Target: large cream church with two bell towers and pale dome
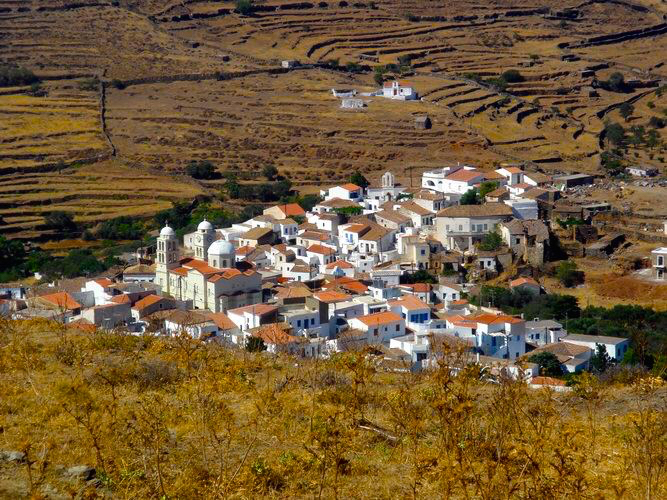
(210, 279)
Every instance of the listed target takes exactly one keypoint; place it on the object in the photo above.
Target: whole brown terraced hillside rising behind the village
(203, 82)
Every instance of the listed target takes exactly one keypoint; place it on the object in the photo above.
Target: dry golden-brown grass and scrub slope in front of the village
(181, 419)
